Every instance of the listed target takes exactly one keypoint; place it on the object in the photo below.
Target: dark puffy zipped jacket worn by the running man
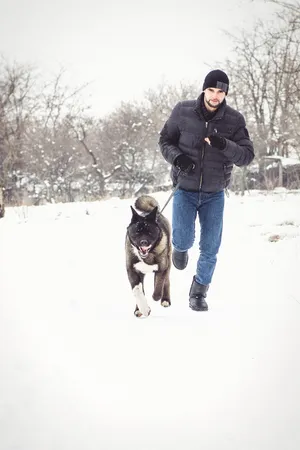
(184, 132)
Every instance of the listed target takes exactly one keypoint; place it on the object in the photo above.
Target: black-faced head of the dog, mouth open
(144, 231)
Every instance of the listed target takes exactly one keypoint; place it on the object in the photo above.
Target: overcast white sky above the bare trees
(123, 47)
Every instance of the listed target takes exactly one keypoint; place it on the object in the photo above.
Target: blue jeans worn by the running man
(210, 209)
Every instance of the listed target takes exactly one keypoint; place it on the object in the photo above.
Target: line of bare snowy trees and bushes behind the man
(53, 149)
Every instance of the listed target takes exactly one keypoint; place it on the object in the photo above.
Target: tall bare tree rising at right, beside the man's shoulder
(265, 83)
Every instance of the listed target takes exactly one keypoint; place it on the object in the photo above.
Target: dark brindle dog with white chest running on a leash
(148, 249)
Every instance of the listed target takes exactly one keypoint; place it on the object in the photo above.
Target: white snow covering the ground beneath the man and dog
(79, 371)
